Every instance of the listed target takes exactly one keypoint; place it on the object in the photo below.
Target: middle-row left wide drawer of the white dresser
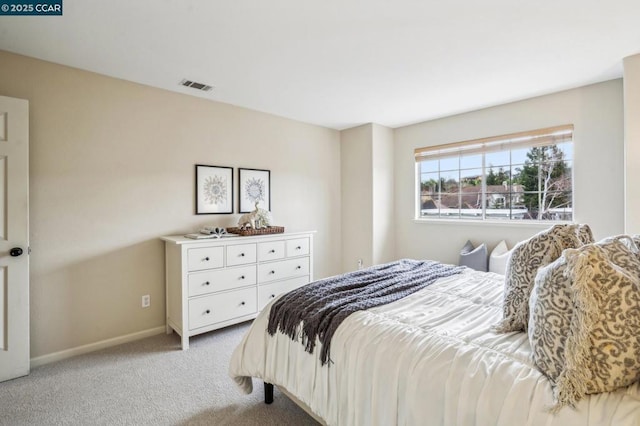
(223, 279)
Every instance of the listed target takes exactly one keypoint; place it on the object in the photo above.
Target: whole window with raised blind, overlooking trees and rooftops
(523, 176)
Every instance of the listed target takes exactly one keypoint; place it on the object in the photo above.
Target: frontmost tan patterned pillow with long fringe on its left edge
(602, 351)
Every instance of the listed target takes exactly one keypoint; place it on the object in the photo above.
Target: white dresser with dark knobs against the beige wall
(214, 283)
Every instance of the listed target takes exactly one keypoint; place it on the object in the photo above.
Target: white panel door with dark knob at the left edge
(14, 238)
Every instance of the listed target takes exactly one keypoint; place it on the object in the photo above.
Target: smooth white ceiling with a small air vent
(341, 63)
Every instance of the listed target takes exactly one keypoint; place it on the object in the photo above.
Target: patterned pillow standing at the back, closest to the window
(526, 258)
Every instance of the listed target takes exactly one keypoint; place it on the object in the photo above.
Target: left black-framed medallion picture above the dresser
(214, 189)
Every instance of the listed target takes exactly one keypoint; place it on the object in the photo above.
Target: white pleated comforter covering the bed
(427, 359)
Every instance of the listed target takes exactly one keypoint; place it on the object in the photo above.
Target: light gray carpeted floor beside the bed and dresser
(148, 382)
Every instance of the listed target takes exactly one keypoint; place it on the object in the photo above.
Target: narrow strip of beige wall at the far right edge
(632, 143)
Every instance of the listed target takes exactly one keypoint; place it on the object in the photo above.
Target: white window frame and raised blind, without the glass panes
(529, 139)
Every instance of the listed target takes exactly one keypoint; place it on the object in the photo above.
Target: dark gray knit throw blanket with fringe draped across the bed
(322, 305)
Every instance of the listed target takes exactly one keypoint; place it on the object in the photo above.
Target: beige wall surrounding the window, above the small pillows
(596, 111)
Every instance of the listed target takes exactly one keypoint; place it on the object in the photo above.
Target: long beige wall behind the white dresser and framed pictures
(112, 169)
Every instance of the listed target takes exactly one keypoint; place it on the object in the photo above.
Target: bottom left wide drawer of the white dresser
(204, 311)
